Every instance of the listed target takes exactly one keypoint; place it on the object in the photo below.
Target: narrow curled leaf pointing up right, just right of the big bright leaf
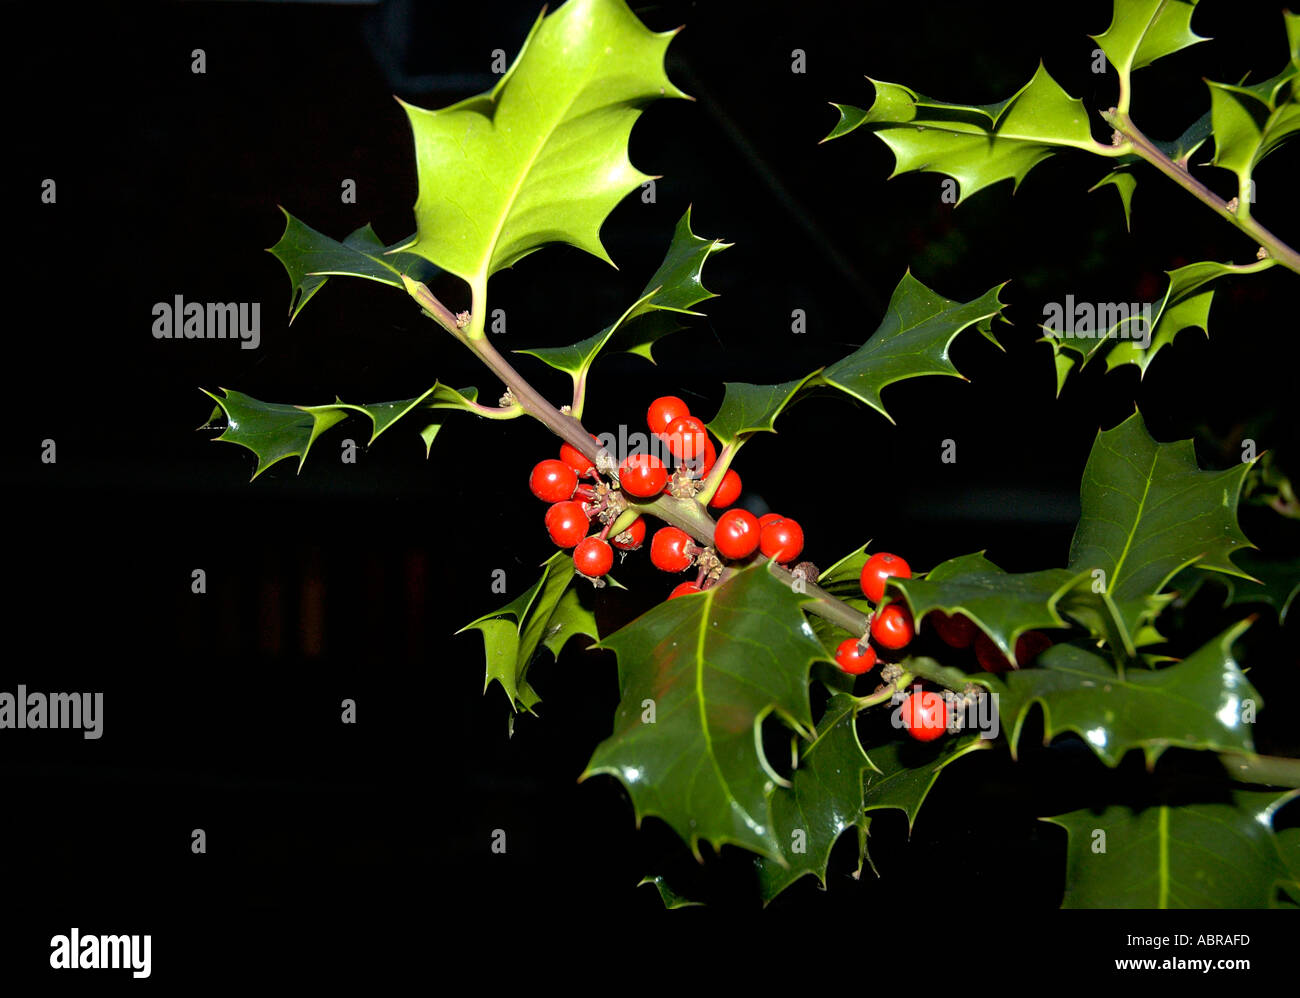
(677, 288)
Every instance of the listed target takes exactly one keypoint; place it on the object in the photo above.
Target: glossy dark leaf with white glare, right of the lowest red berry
(1203, 702)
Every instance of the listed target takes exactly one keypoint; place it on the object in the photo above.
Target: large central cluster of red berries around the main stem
(738, 535)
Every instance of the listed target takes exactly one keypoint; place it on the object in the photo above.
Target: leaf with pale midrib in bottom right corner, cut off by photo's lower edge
(1199, 856)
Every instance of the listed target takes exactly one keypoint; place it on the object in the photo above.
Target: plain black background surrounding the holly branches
(349, 582)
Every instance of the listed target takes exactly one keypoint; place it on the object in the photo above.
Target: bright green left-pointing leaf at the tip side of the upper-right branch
(976, 145)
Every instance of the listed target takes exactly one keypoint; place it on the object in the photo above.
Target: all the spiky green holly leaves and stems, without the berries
(543, 158)
